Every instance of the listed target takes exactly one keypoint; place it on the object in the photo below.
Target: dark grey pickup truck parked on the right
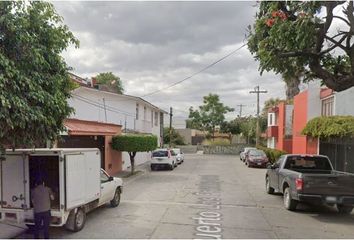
(310, 178)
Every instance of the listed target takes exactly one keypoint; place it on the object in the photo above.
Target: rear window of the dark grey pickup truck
(308, 162)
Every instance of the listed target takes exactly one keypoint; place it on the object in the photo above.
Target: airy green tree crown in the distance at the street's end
(209, 115)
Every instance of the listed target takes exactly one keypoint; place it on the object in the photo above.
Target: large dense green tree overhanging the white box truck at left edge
(34, 81)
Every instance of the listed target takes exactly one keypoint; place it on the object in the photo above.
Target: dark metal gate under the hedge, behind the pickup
(340, 151)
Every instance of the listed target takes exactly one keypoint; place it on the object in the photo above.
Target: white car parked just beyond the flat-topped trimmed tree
(162, 158)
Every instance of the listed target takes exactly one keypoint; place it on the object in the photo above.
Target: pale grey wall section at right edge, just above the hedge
(344, 102)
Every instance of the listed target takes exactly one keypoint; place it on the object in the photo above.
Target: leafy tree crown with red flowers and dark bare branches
(310, 38)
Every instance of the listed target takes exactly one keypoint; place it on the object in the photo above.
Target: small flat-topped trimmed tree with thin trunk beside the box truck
(133, 144)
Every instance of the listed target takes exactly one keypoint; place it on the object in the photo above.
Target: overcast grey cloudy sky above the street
(151, 45)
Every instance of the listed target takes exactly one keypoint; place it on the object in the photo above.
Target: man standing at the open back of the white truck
(41, 196)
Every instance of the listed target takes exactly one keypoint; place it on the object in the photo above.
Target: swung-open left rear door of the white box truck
(14, 182)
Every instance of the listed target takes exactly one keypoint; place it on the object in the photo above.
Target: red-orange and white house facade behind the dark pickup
(313, 102)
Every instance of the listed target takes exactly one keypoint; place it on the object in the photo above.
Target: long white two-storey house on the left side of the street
(133, 113)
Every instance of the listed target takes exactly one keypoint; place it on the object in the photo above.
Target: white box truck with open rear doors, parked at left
(74, 175)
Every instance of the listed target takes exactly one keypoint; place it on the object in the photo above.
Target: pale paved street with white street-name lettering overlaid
(208, 196)
